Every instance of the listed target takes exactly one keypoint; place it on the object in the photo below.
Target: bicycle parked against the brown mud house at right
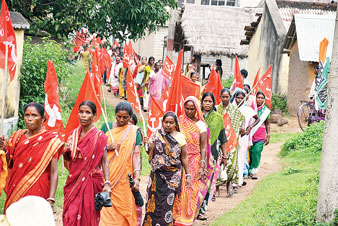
(307, 114)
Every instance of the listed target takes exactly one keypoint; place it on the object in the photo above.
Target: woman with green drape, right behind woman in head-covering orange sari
(217, 141)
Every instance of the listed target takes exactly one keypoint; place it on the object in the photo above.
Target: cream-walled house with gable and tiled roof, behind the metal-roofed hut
(266, 35)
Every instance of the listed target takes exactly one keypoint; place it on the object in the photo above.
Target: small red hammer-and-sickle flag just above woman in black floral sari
(155, 117)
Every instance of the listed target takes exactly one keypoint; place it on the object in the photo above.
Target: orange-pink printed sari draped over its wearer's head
(187, 205)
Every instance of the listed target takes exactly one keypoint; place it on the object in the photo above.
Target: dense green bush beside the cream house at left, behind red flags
(34, 69)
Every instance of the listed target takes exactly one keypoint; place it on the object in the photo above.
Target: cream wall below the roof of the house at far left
(13, 88)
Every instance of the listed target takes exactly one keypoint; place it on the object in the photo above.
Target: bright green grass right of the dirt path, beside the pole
(285, 198)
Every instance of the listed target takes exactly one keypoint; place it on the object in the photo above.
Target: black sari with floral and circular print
(165, 179)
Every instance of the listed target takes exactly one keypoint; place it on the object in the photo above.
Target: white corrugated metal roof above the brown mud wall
(310, 30)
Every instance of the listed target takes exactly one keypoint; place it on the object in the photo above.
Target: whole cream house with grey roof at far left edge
(20, 24)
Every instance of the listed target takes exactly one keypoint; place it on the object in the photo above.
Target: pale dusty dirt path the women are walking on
(269, 164)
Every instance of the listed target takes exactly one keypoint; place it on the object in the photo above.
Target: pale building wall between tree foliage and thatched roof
(152, 44)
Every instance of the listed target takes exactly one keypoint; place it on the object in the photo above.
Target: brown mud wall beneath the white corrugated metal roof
(300, 80)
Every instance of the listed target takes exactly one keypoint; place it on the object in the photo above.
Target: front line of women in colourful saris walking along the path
(185, 156)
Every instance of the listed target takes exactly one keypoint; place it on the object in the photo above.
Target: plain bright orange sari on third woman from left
(123, 211)
